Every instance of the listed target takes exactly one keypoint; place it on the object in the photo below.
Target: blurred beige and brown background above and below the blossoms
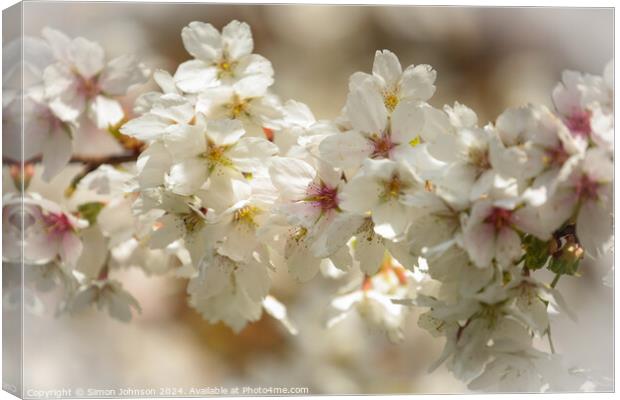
(486, 58)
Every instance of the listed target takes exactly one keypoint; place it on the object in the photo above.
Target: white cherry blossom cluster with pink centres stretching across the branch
(415, 206)
